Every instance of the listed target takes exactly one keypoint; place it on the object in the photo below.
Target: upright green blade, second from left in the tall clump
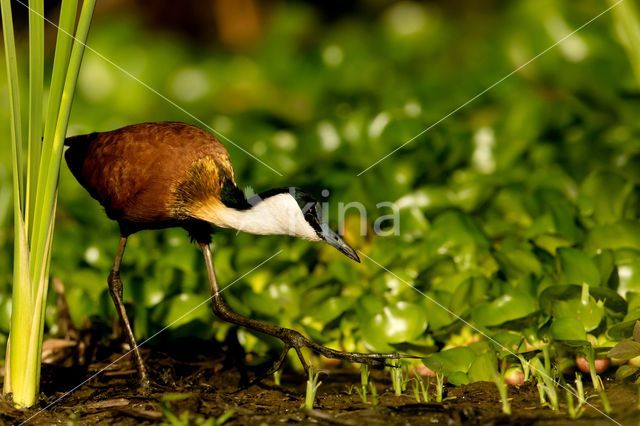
(36, 86)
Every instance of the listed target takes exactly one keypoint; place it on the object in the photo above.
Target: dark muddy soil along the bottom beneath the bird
(202, 387)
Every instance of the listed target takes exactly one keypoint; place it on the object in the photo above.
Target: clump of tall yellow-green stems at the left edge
(34, 232)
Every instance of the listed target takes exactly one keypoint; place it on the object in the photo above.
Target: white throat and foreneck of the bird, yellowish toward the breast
(276, 215)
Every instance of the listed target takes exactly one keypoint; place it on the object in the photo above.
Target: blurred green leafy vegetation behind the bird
(532, 185)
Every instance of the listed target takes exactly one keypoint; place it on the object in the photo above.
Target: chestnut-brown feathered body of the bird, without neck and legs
(136, 172)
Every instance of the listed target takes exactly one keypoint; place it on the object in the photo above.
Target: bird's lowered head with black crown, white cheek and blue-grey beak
(315, 226)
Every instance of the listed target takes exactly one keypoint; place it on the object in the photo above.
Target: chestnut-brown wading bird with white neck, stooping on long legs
(156, 175)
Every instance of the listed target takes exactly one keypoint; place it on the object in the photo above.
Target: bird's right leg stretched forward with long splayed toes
(292, 339)
